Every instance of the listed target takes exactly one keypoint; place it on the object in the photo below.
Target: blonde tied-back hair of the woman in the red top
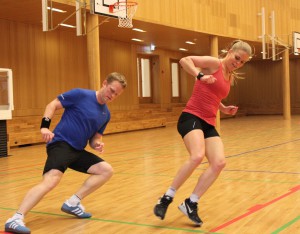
(235, 46)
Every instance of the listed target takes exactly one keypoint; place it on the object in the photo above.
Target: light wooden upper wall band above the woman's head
(234, 18)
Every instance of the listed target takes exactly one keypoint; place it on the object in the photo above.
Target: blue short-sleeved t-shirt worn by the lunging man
(82, 118)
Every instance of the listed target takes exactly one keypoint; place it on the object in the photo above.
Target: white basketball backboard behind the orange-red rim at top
(101, 7)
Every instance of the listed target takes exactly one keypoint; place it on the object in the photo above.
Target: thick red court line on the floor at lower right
(255, 209)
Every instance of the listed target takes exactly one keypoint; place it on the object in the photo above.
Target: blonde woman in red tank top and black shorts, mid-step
(197, 122)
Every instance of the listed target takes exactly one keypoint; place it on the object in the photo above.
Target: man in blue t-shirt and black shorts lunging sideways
(84, 120)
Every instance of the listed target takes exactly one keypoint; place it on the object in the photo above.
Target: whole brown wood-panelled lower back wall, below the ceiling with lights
(45, 64)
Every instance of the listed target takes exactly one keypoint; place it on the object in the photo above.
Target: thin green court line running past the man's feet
(122, 222)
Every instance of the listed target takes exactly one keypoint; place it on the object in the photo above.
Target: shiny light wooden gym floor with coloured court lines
(258, 191)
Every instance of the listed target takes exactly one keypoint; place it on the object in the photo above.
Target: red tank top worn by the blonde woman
(205, 100)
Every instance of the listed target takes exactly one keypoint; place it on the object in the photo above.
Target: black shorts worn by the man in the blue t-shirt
(62, 156)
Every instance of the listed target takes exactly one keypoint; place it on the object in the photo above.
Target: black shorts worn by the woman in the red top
(188, 122)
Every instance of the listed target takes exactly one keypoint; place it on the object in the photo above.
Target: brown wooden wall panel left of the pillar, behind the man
(43, 64)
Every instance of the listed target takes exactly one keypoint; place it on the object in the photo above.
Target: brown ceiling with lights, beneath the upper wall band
(164, 37)
